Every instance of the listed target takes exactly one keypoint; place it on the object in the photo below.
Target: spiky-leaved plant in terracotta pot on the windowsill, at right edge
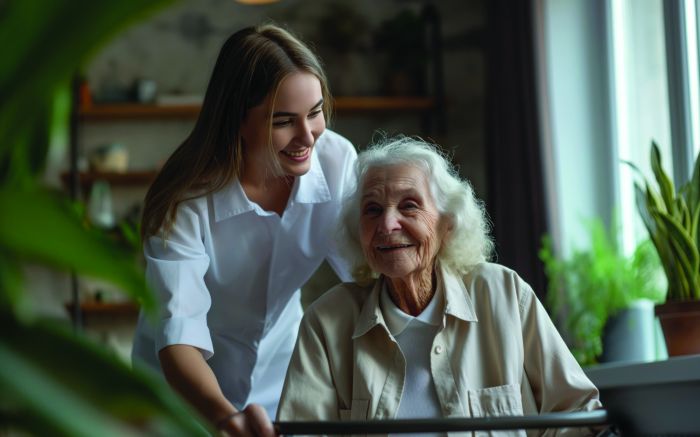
(672, 217)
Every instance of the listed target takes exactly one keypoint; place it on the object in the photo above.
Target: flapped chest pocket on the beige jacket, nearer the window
(503, 400)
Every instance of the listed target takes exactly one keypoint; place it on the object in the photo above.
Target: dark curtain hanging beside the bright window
(515, 194)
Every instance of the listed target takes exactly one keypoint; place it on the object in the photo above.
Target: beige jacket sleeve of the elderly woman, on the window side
(557, 382)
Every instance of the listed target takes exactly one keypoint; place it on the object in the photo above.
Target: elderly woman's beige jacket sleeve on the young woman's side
(309, 392)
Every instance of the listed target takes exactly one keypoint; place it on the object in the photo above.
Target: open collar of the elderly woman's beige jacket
(457, 303)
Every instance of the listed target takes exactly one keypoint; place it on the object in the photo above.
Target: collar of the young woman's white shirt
(309, 188)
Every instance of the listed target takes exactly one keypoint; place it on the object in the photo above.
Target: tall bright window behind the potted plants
(616, 74)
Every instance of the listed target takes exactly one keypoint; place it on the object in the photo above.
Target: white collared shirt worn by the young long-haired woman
(229, 275)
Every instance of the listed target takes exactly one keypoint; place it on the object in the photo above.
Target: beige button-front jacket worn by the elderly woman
(497, 353)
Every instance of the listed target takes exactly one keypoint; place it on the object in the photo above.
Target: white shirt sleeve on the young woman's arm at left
(175, 269)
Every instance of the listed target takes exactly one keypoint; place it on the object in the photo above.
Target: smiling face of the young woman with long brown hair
(297, 122)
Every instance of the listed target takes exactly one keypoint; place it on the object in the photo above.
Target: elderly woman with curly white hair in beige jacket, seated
(430, 329)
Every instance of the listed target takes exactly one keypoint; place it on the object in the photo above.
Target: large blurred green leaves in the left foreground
(53, 381)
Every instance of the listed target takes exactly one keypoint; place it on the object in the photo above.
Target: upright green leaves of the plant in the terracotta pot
(671, 217)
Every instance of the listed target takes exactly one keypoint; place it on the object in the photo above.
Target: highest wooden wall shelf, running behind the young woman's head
(125, 111)
